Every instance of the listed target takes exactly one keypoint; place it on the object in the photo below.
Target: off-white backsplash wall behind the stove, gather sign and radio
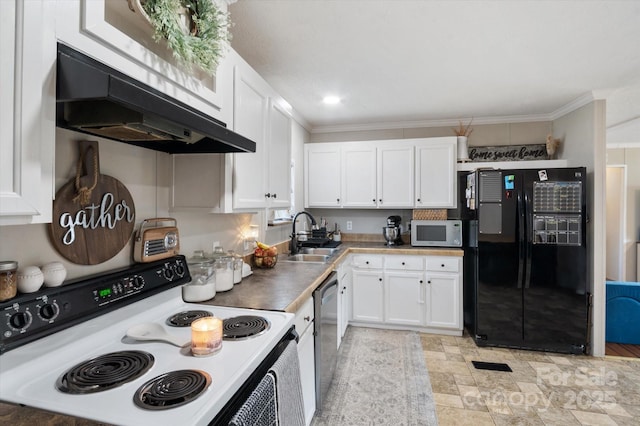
(145, 173)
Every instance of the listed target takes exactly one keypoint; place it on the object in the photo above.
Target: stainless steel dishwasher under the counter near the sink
(325, 299)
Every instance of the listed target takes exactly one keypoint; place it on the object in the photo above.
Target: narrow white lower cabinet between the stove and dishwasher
(306, 354)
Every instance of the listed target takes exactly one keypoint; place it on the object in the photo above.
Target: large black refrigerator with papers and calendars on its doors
(525, 264)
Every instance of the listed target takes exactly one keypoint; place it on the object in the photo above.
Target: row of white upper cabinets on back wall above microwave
(392, 174)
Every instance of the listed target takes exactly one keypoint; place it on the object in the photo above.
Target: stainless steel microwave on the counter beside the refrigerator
(436, 233)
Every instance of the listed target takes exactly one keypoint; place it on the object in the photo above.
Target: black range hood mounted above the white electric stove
(95, 99)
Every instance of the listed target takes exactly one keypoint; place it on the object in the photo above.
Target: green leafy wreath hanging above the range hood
(209, 32)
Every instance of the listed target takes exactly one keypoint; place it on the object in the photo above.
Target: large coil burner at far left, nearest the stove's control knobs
(105, 372)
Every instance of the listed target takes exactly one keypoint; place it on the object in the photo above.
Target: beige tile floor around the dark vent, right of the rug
(542, 389)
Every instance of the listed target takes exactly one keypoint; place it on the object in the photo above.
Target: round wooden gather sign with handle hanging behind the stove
(93, 214)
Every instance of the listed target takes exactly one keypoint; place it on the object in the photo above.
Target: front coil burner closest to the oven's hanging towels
(172, 389)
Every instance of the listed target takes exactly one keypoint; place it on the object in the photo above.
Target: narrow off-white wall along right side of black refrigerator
(583, 135)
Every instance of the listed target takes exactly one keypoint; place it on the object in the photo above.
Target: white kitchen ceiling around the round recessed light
(405, 61)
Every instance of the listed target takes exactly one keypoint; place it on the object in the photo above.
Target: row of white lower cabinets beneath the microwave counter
(408, 291)
